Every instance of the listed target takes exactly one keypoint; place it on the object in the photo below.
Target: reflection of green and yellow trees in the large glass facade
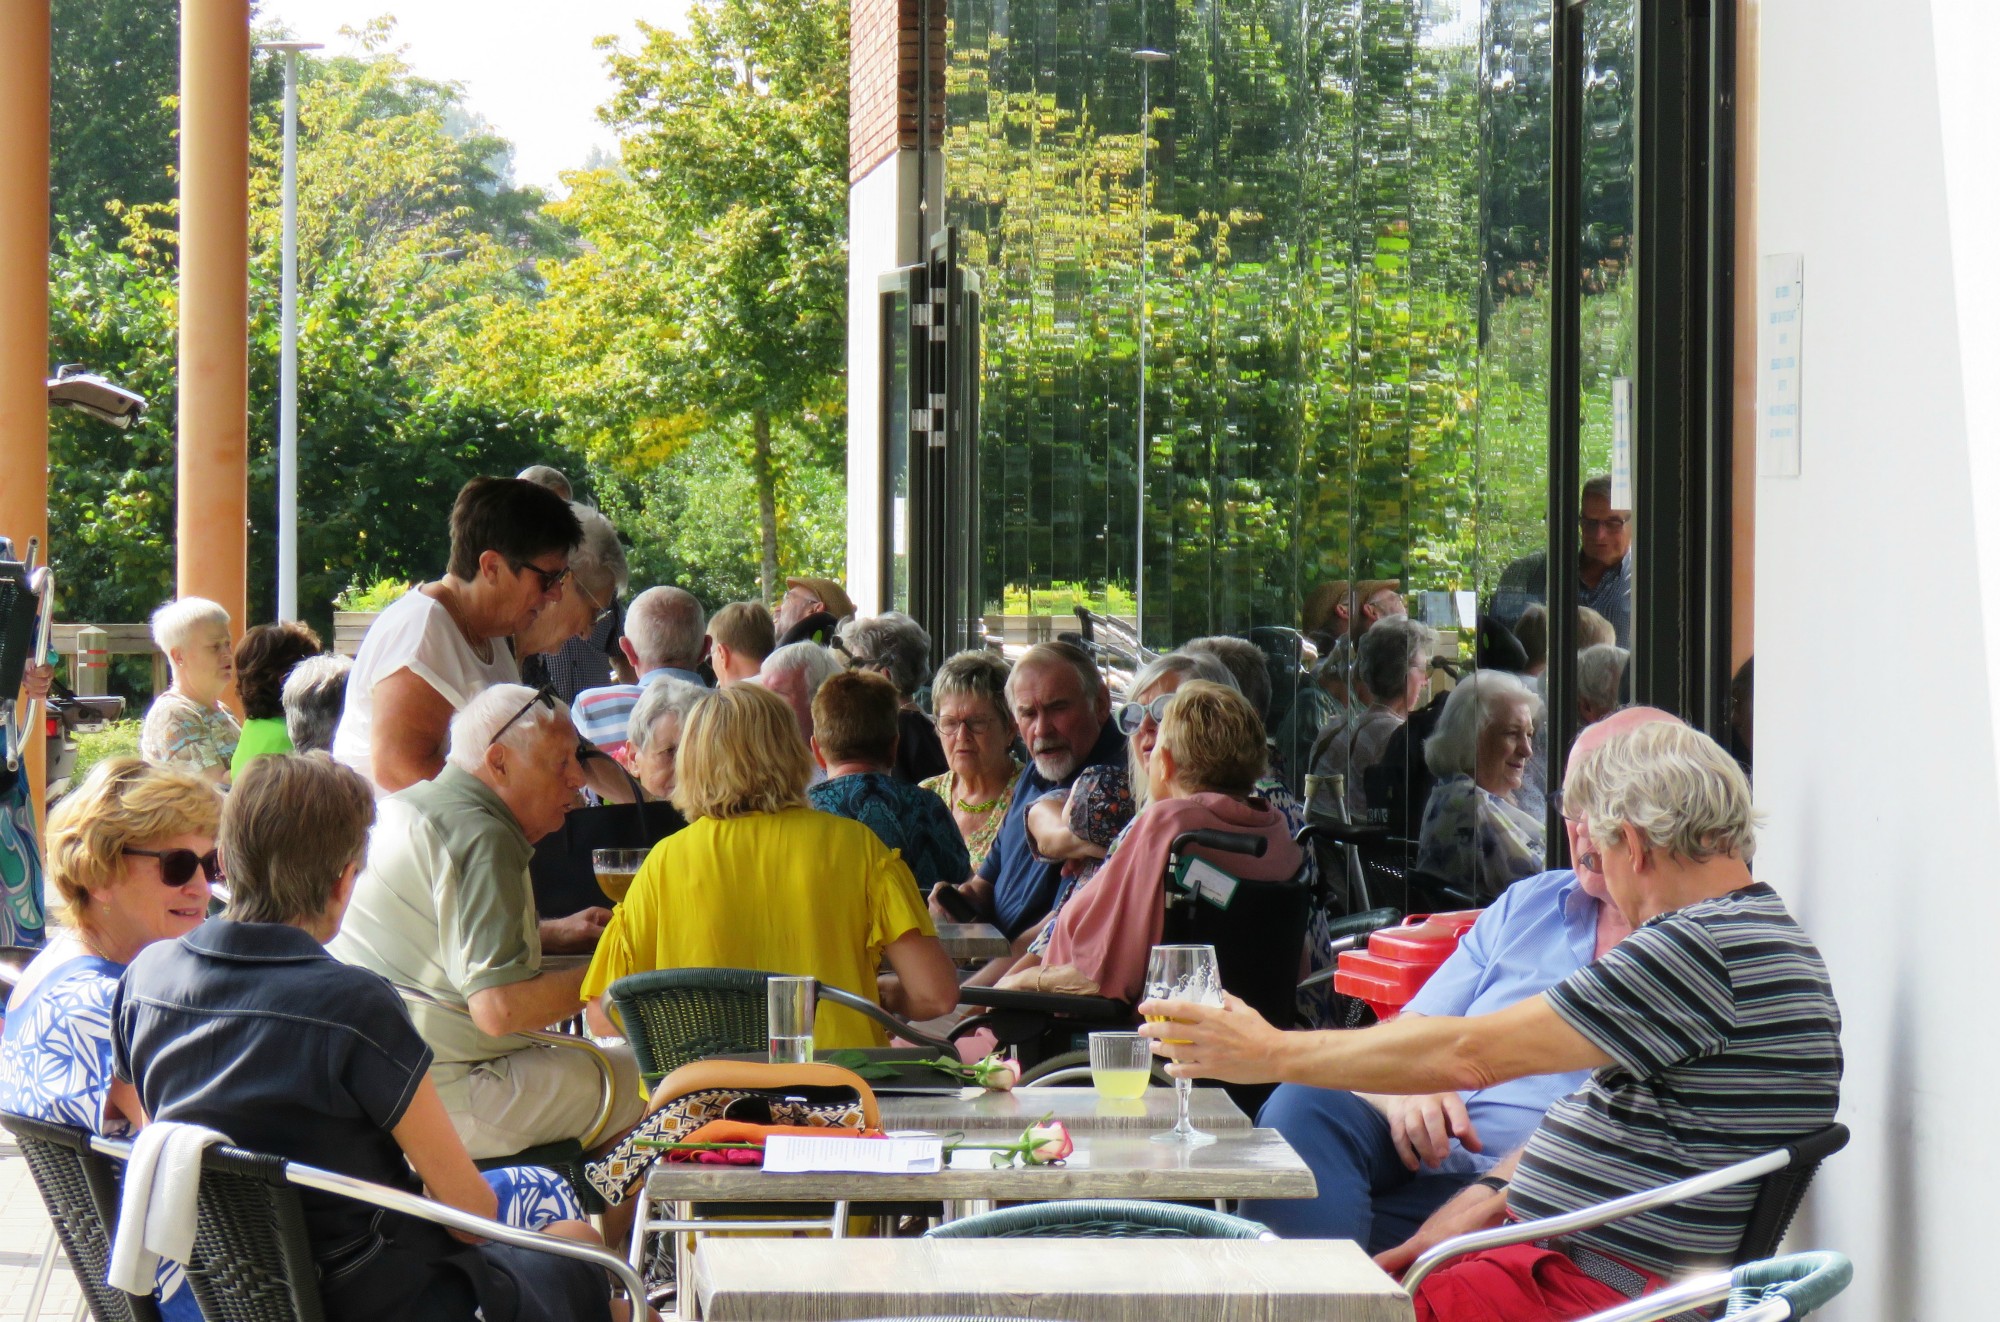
(1347, 291)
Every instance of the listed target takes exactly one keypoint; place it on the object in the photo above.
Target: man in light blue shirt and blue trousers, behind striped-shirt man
(1385, 1163)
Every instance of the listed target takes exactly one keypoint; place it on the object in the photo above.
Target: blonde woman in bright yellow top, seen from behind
(761, 881)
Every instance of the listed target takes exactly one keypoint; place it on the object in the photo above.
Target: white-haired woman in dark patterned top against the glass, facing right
(1475, 835)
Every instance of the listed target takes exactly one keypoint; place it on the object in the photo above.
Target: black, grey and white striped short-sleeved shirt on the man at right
(1727, 1045)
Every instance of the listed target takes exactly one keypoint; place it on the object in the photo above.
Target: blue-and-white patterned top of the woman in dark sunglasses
(57, 1065)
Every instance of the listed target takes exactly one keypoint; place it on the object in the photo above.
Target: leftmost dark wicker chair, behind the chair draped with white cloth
(81, 1191)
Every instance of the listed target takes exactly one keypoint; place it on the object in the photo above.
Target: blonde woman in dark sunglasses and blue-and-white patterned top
(131, 855)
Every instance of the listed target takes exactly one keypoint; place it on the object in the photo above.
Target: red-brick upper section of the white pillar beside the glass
(885, 65)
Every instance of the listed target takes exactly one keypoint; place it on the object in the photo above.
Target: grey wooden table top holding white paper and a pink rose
(1107, 1165)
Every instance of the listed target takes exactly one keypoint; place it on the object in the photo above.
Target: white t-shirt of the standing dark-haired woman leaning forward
(415, 635)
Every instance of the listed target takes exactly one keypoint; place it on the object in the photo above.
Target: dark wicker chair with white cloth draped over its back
(253, 1259)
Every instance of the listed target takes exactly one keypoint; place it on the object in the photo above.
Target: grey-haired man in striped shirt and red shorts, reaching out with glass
(1711, 1035)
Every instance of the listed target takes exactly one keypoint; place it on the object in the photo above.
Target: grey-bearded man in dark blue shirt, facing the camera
(1065, 717)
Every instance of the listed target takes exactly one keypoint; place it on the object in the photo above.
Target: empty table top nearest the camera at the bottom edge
(1105, 1281)
